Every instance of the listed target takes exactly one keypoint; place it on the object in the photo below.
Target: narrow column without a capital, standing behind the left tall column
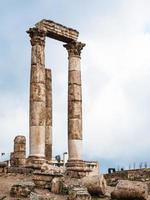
(48, 126)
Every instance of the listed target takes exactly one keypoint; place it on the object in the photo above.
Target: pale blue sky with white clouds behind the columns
(115, 75)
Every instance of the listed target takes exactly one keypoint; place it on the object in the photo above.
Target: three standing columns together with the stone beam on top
(41, 96)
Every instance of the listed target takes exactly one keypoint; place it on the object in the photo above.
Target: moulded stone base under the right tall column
(76, 169)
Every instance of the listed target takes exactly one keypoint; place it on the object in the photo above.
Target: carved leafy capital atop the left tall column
(37, 36)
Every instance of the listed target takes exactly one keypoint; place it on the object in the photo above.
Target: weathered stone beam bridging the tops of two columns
(57, 31)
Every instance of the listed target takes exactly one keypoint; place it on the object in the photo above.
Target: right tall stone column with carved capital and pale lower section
(74, 104)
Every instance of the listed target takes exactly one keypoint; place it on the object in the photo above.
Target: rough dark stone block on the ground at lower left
(22, 189)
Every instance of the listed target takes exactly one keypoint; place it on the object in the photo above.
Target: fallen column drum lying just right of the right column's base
(96, 185)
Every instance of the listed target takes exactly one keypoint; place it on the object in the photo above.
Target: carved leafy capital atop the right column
(74, 48)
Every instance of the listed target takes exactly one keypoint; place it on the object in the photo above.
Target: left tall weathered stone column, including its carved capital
(37, 97)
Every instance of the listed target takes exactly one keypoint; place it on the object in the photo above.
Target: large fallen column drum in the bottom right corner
(130, 190)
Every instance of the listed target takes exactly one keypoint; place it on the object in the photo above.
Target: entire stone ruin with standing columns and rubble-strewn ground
(39, 176)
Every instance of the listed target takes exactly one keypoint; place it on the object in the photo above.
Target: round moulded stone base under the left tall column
(35, 162)
